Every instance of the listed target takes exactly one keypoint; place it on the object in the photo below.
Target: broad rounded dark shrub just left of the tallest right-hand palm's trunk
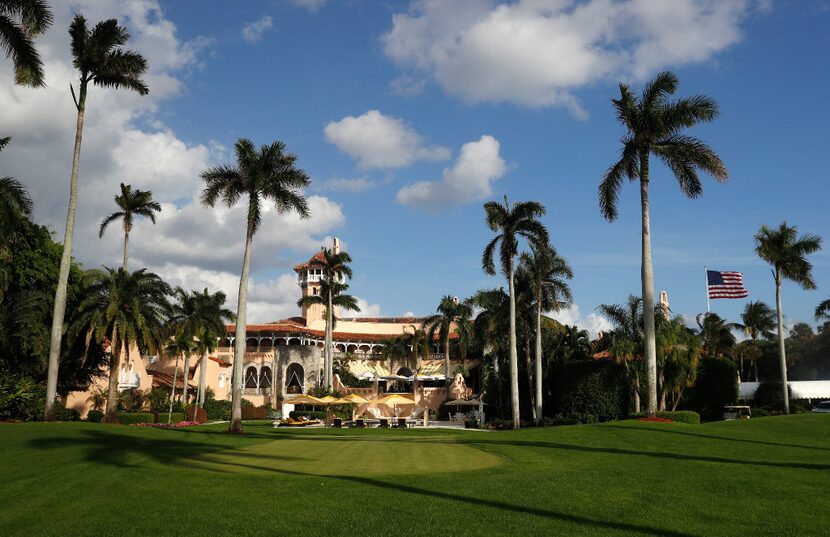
(591, 388)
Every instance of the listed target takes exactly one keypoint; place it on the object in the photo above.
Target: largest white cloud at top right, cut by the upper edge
(537, 52)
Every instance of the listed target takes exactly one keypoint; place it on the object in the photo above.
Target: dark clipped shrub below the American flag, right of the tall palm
(716, 386)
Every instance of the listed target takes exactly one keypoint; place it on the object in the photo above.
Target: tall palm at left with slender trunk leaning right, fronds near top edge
(99, 58)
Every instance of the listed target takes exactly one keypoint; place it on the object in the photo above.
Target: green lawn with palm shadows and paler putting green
(768, 476)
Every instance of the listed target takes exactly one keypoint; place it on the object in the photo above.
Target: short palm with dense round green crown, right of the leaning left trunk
(127, 309)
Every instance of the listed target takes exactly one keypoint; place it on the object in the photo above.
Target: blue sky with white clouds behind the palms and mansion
(303, 68)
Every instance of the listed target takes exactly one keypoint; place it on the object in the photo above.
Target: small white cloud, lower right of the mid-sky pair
(469, 179)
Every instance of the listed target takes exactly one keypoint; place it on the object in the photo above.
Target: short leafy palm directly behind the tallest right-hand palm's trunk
(627, 339)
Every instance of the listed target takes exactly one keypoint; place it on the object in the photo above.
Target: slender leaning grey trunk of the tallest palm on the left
(59, 309)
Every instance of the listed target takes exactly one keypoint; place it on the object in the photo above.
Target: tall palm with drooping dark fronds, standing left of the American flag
(654, 125)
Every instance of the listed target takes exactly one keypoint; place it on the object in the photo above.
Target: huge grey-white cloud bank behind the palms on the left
(126, 141)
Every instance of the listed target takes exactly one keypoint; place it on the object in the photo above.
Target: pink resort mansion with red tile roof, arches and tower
(284, 358)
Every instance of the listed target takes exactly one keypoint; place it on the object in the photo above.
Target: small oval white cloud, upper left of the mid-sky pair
(379, 141)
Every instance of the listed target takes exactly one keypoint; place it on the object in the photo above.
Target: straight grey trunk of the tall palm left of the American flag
(648, 294)
